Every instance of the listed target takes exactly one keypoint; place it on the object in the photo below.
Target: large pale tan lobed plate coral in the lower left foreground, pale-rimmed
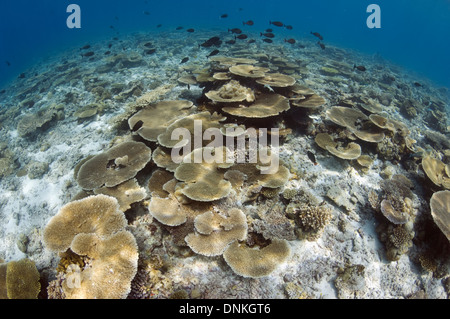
(94, 227)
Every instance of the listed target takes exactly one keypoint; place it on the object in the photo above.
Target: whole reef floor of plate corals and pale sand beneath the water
(357, 209)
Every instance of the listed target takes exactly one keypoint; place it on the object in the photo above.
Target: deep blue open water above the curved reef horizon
(414, 34)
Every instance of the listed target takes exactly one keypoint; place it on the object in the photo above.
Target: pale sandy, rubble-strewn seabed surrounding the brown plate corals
(349, 258)
